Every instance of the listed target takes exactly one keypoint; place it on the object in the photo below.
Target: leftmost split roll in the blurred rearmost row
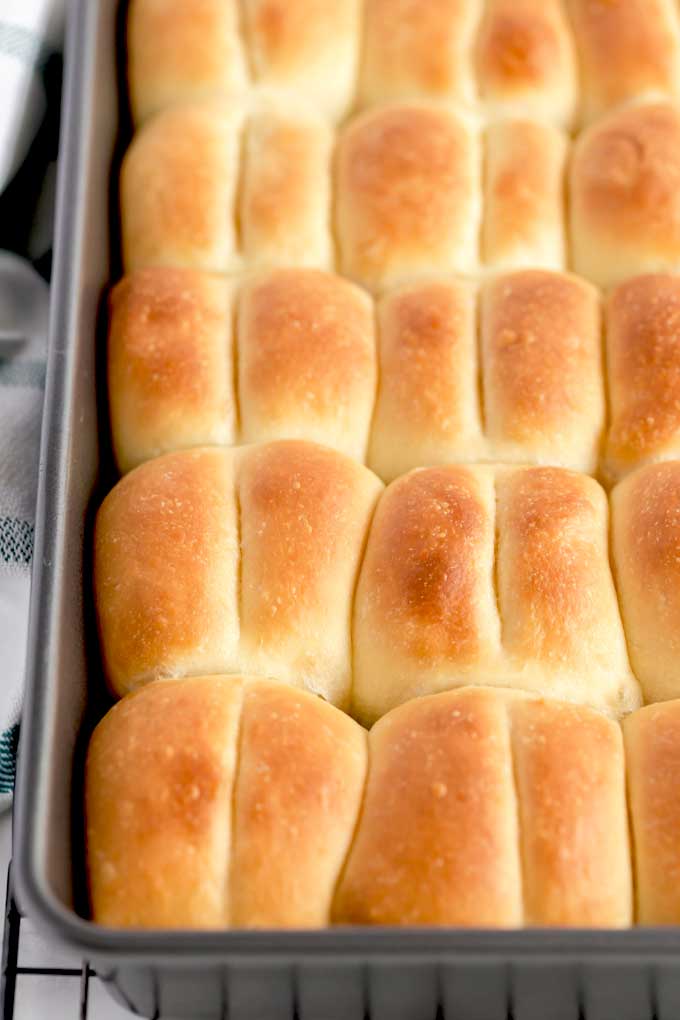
(181, 50)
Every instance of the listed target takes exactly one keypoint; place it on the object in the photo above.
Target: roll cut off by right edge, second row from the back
(625, 194)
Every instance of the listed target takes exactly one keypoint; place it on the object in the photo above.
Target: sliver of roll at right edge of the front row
(653, 757)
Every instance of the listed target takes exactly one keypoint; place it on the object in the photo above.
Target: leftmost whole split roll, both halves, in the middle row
(195, 360)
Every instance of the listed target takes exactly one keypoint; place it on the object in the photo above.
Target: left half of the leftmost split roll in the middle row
(170, 364)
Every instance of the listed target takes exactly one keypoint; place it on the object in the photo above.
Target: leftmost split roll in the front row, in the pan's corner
(221, 801)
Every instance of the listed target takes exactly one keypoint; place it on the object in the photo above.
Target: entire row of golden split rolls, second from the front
(290, 560)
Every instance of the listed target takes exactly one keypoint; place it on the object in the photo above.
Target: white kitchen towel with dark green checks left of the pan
(30, 38)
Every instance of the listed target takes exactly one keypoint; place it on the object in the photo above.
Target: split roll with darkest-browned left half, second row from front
(438, 606)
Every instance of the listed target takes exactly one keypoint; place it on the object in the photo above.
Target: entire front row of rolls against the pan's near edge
(230, 802)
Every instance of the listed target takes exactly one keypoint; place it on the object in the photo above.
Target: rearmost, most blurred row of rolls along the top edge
(562, 61)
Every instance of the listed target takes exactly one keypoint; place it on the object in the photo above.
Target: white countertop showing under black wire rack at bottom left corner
(40, 998)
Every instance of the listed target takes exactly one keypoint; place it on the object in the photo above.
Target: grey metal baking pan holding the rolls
(348, 974)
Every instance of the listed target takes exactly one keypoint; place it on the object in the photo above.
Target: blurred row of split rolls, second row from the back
(405, 190)
